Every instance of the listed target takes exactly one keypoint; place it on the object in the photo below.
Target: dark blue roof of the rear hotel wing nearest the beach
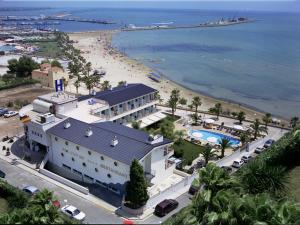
(121, 94)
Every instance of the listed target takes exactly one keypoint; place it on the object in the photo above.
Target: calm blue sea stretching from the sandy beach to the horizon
(255, 64)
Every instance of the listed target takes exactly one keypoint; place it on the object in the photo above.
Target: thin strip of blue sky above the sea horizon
(256, 5)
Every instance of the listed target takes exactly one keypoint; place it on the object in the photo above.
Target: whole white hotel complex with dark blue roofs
(85, 140)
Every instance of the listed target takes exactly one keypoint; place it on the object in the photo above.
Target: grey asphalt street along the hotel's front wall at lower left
(21, 178)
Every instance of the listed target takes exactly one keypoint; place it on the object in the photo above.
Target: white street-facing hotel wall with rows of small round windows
(119, 174)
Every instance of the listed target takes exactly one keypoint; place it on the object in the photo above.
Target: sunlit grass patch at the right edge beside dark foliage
(294, 183)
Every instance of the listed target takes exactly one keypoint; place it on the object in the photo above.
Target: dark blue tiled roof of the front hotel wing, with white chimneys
(132, 144)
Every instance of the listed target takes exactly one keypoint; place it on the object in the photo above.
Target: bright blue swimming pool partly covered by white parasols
(212, 137)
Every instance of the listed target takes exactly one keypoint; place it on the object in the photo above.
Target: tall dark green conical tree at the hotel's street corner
(136, 189)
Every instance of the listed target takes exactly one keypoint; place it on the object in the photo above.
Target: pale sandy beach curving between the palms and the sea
(96, 48)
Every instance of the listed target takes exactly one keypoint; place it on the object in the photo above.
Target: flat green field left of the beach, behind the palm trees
(49, 49)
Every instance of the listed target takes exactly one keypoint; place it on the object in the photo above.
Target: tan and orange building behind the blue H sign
(48, 74)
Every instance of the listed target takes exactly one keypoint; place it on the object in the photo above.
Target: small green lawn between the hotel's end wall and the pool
(190, 151)
